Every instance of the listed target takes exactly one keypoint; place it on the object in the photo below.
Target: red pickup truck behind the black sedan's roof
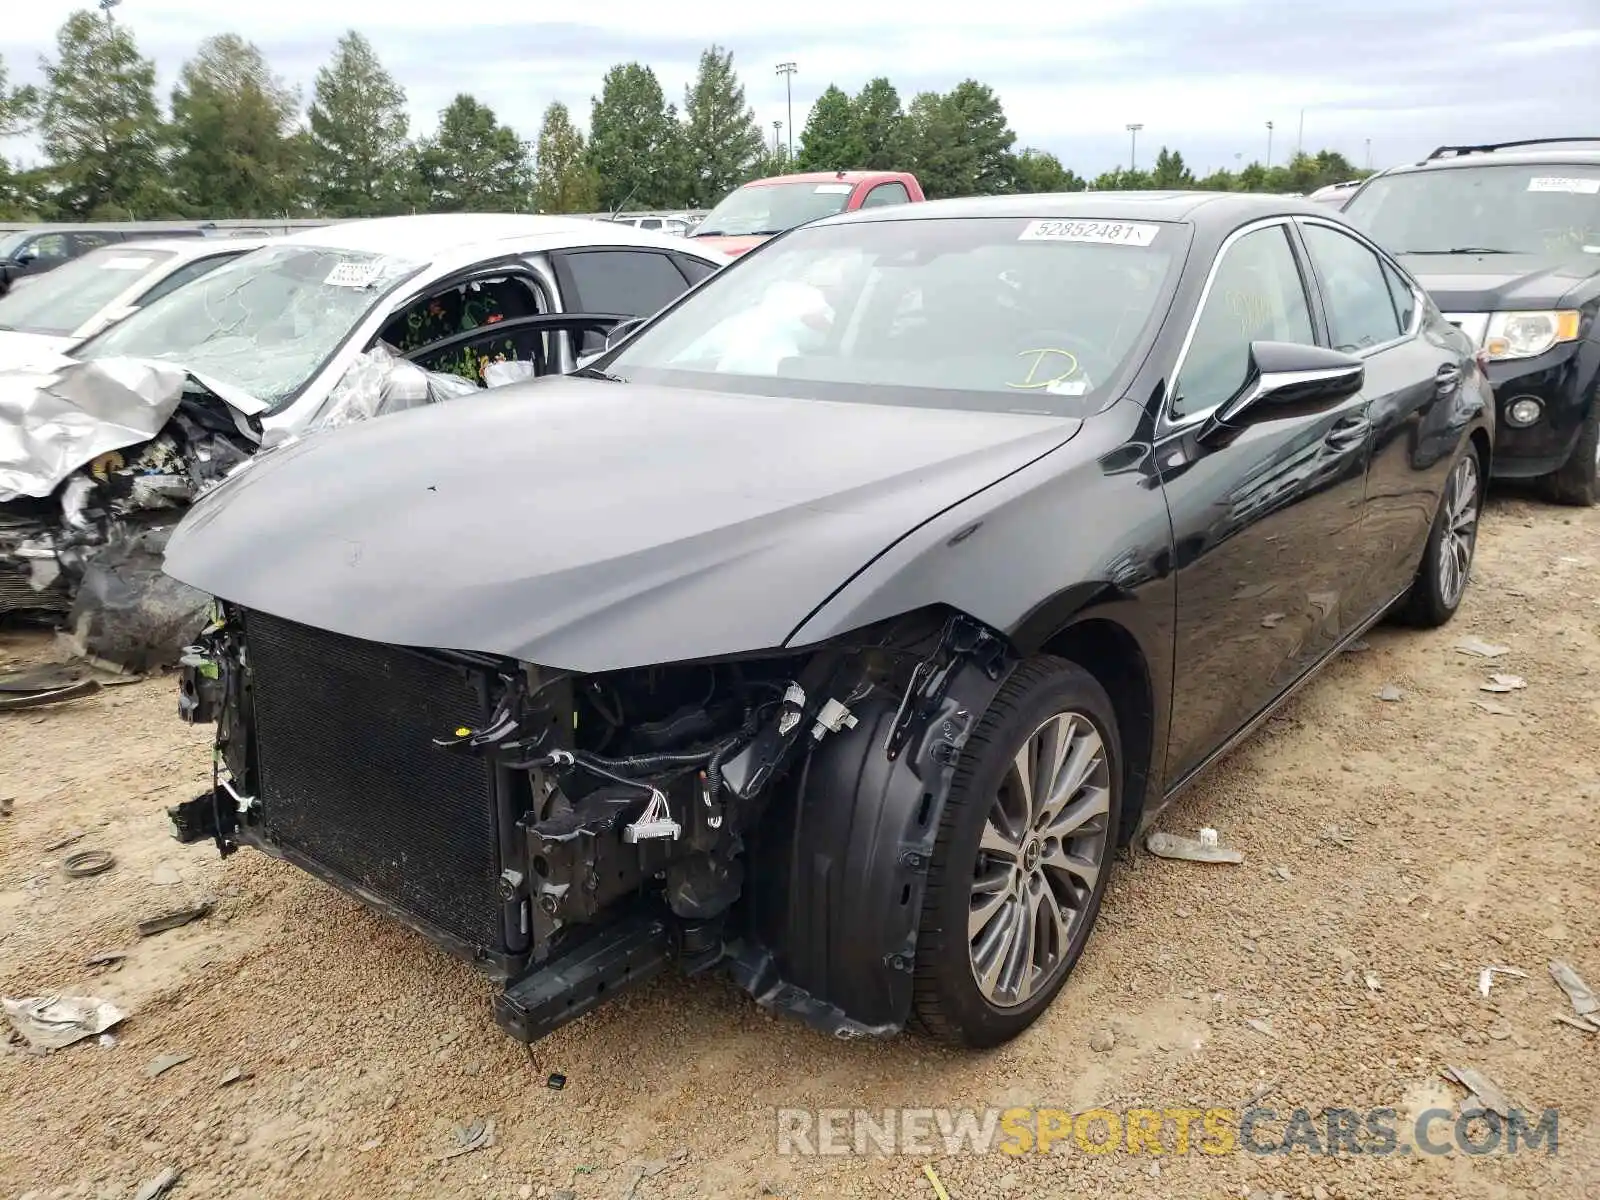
(761, 209)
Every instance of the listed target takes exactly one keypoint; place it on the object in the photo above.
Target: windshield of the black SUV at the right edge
(1506, 209)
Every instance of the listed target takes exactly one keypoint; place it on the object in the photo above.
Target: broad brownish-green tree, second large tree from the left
(236, 146)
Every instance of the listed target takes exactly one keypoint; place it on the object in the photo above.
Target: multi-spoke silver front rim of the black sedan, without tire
(1042, 850)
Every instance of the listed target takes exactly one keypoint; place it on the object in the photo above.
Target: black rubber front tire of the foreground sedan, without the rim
(948, 1002)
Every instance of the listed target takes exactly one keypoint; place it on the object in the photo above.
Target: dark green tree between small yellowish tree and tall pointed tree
(636, 145)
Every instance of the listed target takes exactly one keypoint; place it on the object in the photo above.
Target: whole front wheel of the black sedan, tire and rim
(1023, 857)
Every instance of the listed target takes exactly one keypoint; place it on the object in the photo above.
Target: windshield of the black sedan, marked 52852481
(1002, 314)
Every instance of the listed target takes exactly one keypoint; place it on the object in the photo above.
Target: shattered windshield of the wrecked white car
(265, 322)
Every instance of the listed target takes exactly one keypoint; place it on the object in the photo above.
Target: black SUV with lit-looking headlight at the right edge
(1506, 239)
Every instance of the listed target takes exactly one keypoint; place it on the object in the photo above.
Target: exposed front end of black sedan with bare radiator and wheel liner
(767, 815)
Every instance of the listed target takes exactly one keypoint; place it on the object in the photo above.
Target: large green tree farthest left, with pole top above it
(100, 126)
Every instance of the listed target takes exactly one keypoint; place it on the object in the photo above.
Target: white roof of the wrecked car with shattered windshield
(449, 234)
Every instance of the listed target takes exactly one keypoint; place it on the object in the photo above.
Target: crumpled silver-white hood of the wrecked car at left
(60, 414)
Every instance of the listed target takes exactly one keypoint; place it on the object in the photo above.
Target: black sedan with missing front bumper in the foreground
(838, 623)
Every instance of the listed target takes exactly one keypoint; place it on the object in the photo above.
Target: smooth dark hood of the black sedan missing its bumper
(590, 526)
